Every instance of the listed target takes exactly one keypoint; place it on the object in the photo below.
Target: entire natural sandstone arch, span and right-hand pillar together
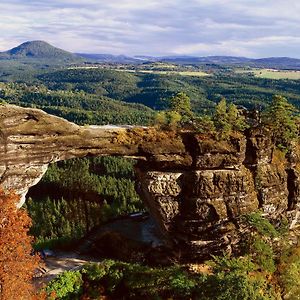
(195, 187)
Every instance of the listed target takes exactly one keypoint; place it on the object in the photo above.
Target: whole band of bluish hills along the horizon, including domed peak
(42, 53)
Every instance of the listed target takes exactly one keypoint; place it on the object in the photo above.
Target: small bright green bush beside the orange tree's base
(67, 286)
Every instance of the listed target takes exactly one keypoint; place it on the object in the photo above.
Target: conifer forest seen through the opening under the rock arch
(78, 195)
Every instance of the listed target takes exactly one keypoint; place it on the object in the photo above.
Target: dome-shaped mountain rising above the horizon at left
(39, 50)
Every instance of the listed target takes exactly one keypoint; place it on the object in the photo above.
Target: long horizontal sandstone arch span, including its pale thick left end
(30, 139)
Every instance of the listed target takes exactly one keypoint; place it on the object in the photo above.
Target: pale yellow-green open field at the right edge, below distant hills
(272, 74)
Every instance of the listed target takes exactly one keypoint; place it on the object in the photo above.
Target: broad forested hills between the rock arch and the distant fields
(97, 87)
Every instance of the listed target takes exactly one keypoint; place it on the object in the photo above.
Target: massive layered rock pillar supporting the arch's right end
(199, 208)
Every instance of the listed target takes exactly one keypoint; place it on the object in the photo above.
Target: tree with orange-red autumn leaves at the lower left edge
(17, 264)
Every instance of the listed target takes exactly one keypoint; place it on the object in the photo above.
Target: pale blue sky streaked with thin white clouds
(251, 28)
